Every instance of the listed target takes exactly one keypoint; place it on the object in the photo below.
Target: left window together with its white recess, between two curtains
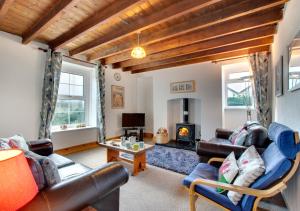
(74, 98)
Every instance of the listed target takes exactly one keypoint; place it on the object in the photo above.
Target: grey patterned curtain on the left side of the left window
(50, 91)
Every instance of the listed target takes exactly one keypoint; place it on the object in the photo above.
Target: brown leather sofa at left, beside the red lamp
(81, 186)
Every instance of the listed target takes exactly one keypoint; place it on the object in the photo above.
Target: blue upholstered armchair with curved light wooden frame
(281, 160)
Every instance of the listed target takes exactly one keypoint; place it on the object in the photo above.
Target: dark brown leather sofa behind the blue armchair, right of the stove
(220, 146)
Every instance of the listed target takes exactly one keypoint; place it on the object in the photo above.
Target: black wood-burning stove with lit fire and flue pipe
(185, 132)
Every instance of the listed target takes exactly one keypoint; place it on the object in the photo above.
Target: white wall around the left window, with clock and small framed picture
(21, 82)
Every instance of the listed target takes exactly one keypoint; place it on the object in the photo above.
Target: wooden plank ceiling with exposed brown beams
(173, 33)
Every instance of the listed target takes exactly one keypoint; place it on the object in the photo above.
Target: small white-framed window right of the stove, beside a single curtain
(238, 89)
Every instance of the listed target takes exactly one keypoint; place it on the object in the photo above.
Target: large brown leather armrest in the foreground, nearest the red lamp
(82, 191)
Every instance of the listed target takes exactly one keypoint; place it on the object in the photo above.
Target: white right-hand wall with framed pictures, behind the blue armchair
(286, 107)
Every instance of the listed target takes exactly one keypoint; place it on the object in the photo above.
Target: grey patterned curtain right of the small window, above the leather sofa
(262, 89)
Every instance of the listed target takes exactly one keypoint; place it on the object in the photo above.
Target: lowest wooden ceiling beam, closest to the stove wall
(235, 54)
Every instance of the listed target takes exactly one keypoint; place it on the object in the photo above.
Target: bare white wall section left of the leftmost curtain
(21, 81)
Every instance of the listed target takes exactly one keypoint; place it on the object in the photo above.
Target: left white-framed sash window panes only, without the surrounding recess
(71, 103)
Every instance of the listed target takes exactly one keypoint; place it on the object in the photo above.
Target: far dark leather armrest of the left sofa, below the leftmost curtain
(41, 146)
